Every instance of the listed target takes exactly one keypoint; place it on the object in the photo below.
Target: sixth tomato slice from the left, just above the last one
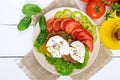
(84, 35)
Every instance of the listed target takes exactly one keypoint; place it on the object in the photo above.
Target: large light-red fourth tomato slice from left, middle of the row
(71, 25)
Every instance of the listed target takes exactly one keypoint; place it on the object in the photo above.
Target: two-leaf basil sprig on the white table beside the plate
(28, 10)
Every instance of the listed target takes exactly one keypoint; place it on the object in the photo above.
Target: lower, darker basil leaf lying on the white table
(24, 23)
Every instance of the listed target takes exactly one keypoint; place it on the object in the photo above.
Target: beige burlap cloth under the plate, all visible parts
(35, 71)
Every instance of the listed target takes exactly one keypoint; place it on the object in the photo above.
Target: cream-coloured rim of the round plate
(98, 39)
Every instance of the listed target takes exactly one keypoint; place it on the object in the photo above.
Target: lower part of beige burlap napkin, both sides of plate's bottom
(35, 71)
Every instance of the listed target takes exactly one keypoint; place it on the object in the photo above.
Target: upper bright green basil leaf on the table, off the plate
(31, 9)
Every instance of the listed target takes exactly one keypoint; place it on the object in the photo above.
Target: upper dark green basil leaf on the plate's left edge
(42, 23)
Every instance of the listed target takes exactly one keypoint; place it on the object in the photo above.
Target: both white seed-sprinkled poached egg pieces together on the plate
(58, 46)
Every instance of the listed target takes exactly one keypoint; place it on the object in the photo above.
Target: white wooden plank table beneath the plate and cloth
(15, 44)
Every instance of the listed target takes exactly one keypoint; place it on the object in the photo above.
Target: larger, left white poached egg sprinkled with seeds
(57, 46)
